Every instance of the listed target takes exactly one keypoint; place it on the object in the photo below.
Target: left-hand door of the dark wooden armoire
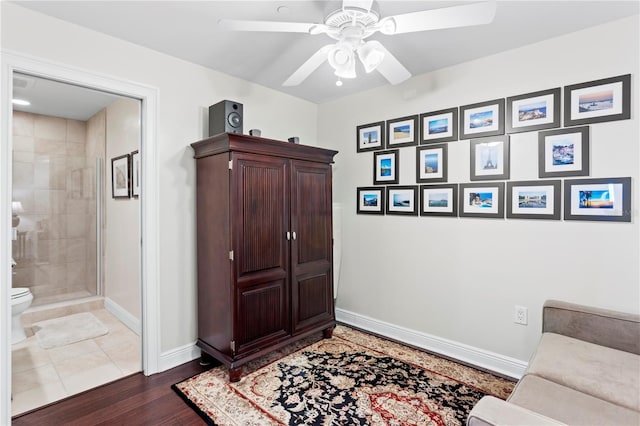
(260, 222)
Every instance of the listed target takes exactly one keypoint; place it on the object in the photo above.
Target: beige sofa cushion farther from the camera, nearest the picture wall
(602, 372)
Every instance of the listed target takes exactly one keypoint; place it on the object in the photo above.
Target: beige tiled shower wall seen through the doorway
(54, 181)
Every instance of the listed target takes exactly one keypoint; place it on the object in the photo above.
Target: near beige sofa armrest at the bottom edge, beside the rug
(491, 411)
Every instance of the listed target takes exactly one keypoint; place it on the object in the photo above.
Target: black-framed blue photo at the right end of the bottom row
(607, 199)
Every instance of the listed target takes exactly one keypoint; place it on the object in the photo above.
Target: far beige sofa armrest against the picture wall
(616, 330)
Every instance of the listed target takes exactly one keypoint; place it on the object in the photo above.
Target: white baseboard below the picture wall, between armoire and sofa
(491, 361)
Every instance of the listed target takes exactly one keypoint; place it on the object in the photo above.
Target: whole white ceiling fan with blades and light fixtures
(351, 25)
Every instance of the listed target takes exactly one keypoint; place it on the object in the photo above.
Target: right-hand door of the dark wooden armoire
(312, 245)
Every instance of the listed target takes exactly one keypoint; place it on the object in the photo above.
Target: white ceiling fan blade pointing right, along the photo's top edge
(435, 19)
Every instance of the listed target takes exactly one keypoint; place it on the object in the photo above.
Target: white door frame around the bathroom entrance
(148, 217)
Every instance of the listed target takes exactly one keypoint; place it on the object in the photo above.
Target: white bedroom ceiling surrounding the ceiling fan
(189, 30)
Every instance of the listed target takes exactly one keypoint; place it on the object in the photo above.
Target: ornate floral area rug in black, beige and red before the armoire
(351, 379)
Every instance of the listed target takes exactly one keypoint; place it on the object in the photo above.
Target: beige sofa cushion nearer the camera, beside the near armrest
(568, 405)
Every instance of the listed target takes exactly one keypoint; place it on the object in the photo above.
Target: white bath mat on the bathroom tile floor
(68, 329)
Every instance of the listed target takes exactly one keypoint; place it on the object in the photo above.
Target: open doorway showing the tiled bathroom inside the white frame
(74, 251)
